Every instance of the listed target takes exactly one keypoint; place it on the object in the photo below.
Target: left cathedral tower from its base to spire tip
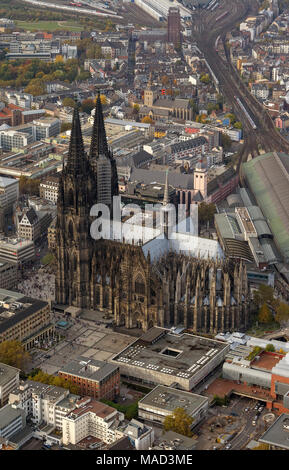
(77, 194)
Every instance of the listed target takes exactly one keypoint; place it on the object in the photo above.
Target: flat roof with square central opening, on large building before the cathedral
(176, 355)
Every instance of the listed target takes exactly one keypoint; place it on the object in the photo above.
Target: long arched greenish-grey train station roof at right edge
(267, 177)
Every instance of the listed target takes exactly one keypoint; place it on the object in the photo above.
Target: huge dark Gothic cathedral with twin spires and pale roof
(161, 282)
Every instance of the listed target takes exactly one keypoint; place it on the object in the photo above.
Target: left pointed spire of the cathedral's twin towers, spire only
(76, 148)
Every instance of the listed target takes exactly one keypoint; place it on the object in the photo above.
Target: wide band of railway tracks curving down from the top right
(265, 136)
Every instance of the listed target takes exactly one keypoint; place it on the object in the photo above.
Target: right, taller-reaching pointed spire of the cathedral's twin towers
(98, 141)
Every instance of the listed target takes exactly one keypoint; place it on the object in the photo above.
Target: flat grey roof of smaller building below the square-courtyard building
(168, 399)
